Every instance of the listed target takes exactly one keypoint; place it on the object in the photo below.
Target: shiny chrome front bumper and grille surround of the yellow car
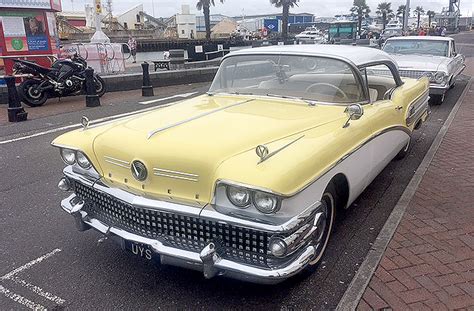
(207, 260)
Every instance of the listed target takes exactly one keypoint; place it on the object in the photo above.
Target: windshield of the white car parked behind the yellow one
(425, 47)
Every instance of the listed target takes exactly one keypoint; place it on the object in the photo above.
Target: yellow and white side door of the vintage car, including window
(387, 118)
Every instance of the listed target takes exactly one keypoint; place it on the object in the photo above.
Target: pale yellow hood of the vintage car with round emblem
(183, 145)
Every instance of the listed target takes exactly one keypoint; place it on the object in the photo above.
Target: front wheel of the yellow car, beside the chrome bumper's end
(324, 221)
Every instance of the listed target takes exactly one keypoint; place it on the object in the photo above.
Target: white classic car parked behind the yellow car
(434, 57)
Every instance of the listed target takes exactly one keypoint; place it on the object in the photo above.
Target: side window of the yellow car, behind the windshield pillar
(380, 82)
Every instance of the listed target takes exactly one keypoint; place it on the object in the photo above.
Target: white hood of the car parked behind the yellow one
(419, 62)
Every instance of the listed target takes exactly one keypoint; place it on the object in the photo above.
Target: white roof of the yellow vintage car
(355, 54)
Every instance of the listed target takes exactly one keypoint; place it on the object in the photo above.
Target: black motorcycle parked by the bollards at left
(66, 77)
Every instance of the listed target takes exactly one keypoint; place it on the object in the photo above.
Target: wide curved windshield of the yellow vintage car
(310, 78)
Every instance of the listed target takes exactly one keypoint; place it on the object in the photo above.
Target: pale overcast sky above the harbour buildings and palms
(166, 8)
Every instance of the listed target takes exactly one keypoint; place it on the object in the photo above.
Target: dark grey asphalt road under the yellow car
(81, 272)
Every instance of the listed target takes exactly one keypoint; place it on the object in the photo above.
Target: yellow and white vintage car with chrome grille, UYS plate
(246, 180)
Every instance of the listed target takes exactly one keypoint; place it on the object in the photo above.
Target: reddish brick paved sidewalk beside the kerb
(429, 263)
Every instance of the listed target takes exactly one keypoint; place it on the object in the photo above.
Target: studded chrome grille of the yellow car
(184, 232)
